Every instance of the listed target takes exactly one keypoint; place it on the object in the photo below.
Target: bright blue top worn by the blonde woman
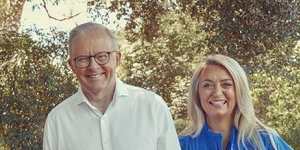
(208, 140)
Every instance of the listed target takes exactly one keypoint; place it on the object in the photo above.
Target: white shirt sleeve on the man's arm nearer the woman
(167, 136)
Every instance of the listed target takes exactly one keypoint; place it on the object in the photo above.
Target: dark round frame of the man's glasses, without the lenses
(108, 53)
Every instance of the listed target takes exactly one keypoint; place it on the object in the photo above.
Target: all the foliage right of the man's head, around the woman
(261, 35)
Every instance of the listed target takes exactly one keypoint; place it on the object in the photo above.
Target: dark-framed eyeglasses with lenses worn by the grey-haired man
(100, 58)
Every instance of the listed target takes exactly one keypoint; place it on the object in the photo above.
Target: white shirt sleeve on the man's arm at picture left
(49, 138)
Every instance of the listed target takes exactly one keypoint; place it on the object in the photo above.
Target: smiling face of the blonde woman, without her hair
(216, 92)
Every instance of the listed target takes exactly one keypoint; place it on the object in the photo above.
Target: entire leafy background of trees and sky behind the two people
(162, 41)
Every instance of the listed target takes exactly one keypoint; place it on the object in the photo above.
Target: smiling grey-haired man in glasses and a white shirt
(105, 113)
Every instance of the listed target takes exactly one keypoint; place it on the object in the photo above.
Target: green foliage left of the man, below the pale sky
(32, 83)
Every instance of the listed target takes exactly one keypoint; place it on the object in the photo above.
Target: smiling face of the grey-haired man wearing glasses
(94, 78)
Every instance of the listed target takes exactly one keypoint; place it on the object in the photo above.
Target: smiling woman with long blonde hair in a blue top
(221, 112)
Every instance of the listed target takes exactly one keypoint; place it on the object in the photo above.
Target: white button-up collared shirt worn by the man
(136, 119)
